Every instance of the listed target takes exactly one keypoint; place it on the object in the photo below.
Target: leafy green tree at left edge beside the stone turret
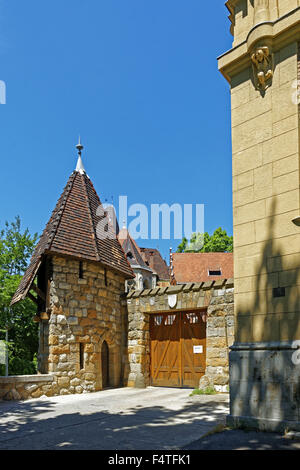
(16, 247)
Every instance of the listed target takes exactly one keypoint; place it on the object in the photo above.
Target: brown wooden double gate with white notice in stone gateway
(178, 349)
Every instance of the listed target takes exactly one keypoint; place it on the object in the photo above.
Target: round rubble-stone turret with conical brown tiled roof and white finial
(77, 277)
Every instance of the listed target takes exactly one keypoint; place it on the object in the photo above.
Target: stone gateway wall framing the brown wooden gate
(216, 297)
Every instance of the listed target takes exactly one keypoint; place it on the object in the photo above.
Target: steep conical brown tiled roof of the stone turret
(72, 231)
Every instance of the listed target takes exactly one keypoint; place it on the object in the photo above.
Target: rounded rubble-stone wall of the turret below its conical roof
(83, 314)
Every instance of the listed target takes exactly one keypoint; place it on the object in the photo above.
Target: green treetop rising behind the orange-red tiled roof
(219, 241)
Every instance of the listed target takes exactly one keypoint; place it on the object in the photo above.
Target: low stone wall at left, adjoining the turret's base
(23, 387)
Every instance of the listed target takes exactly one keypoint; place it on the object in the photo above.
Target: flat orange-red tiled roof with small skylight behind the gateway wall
(195, 267)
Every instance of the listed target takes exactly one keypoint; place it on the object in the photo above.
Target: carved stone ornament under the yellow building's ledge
(262, 64)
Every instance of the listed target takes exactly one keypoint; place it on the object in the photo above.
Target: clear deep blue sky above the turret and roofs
(138, 80)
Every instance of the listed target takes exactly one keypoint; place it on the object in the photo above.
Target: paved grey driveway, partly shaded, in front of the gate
(116, 419)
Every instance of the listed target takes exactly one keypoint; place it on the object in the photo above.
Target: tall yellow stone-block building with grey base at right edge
(263, 70)
